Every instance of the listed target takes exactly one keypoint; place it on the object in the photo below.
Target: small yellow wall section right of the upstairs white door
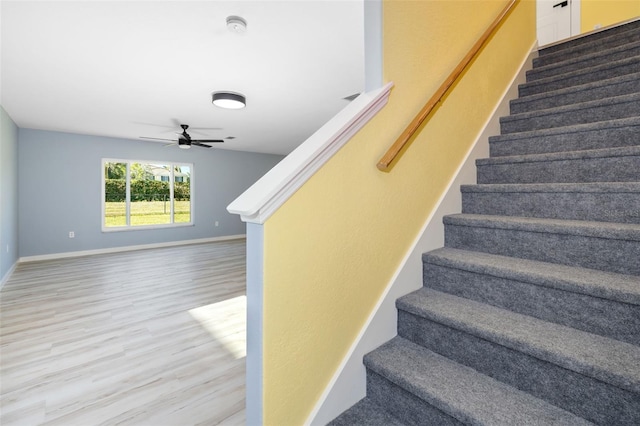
(606, 12)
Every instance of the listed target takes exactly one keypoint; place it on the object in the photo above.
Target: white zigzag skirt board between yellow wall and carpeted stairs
(348, 385)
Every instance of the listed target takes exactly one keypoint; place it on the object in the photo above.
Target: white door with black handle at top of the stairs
(556, 20)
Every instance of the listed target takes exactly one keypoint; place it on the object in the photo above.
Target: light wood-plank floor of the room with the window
(149, 337)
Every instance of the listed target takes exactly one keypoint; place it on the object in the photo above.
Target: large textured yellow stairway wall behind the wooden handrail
(333, 247)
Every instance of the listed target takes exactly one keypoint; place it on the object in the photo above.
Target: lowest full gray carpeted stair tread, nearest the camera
(460, 391)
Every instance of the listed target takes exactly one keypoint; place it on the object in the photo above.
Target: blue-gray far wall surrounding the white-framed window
(60, 190)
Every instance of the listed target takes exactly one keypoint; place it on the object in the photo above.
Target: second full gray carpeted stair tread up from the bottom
(601, 358)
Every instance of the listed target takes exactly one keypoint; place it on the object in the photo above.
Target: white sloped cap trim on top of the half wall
(264, 197)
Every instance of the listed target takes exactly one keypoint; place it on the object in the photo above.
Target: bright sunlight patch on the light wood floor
(226, 321)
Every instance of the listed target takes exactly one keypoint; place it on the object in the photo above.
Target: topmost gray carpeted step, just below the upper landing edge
(593, 40)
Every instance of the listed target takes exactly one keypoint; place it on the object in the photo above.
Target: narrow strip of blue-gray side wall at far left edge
(8, 194)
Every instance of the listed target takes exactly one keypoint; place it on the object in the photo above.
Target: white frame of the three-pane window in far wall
(128, 227)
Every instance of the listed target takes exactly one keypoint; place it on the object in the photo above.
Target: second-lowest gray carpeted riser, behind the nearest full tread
(589, 398)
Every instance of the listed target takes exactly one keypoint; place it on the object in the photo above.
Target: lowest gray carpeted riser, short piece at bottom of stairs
(404, 405)
